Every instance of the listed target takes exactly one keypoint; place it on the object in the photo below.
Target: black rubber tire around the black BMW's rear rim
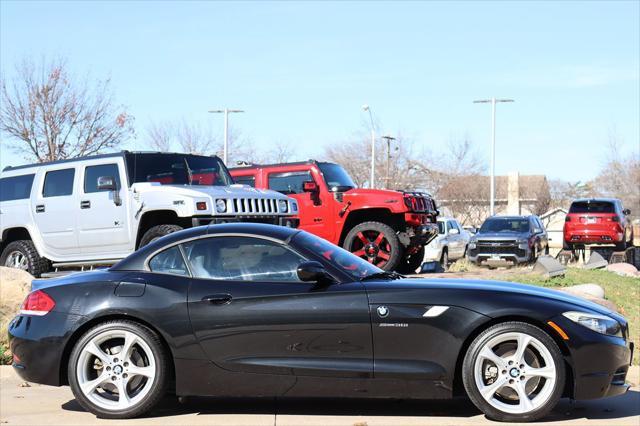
(162, 372)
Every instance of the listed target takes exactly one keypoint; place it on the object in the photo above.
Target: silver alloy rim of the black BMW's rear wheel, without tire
(116, 369)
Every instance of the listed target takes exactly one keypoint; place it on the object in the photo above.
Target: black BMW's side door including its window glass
(252, 315)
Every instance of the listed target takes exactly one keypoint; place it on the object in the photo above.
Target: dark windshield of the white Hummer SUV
(177, 169)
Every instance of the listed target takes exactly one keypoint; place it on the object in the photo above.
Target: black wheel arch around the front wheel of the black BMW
(458, 386)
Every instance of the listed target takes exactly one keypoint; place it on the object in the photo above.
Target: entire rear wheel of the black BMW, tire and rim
(118, 370)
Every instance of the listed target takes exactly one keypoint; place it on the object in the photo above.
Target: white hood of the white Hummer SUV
(234, 190)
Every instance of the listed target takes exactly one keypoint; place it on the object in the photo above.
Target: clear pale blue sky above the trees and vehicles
(302, 70)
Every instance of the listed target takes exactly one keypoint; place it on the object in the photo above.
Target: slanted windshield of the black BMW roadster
(340, 258)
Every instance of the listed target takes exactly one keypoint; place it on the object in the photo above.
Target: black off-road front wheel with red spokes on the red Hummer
(375, 242)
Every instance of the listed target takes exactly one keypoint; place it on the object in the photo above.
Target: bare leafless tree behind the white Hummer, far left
(48, 115)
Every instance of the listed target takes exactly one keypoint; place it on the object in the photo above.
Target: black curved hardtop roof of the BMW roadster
(136, 260)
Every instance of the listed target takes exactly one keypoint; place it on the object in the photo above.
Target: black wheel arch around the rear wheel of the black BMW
(77, 334)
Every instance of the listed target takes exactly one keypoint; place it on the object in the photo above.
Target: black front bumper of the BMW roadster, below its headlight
(600, 363)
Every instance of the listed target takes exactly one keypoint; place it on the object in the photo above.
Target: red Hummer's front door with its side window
(315, 208)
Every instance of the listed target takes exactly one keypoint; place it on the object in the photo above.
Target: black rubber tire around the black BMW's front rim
(469, 380)
